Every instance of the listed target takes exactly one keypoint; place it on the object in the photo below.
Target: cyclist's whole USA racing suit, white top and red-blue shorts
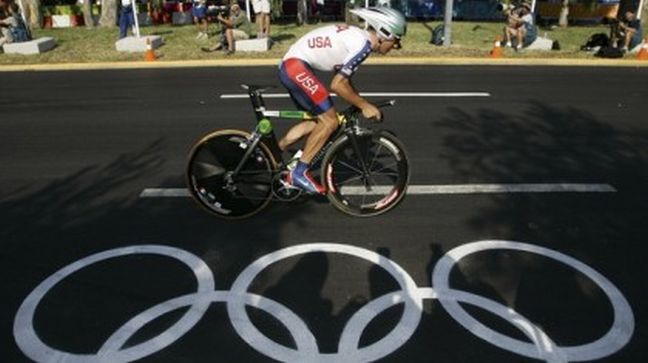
(340, 48)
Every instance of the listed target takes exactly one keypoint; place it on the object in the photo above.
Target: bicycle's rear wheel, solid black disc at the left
(213, 184)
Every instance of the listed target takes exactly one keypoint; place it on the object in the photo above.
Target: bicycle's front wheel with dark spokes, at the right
(366, 177)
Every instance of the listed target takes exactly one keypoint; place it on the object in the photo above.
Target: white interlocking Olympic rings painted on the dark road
(306, 347)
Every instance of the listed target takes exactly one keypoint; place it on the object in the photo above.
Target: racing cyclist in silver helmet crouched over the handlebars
(339, 48)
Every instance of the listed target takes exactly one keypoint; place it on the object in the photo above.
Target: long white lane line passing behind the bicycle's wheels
(435, 189)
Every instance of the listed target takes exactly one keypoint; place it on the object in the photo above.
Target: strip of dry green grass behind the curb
(470, 39)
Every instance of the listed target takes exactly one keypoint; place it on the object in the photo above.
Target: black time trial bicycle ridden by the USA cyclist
(234, 173)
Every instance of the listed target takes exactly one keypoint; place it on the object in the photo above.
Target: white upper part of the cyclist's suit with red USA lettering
(334, 47)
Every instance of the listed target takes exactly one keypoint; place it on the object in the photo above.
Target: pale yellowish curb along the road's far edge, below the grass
(371, 61)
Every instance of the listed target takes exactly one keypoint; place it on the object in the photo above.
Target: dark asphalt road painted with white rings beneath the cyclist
(538, 276)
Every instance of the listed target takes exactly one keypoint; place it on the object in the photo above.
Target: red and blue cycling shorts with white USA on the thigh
(305, 89)
